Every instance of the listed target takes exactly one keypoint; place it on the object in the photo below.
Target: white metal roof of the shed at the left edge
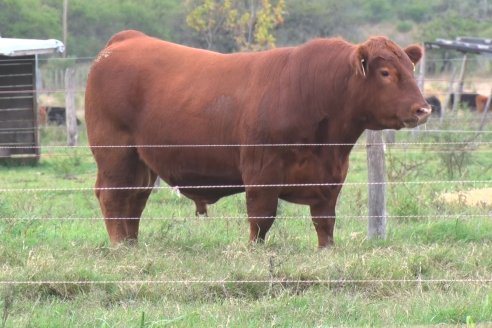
(22, 47)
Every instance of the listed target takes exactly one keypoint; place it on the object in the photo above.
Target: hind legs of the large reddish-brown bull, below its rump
(120, 175)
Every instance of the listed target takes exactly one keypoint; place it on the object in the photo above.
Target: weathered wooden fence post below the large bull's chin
(377, 196)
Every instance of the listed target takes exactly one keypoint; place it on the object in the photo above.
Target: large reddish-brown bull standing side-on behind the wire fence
(143, 91)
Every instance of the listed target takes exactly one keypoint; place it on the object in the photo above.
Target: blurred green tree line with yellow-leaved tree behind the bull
(235, 25)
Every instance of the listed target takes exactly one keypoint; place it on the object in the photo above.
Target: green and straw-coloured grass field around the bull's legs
(202, 272)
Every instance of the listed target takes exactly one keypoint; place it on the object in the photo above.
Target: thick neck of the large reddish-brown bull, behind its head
(327, 73)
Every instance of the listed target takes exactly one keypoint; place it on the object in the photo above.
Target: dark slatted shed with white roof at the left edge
(19, 138)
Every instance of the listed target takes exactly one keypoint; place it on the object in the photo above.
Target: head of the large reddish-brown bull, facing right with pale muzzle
(389, 95)
